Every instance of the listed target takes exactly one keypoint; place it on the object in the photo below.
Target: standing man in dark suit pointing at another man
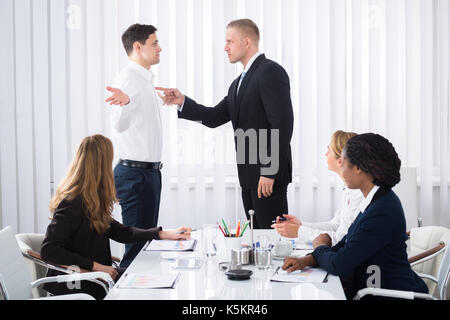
(259, 106)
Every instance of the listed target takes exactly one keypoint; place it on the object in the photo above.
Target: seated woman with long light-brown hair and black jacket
(82, 223)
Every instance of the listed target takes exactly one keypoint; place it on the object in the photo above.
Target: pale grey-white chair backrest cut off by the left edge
(14, 272)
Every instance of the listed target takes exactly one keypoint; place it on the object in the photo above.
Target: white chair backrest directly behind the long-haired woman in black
(33, 241)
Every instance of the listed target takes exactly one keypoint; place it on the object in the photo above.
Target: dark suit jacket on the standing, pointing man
(263, 102)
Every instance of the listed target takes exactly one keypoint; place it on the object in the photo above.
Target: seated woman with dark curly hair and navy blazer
(373, 253)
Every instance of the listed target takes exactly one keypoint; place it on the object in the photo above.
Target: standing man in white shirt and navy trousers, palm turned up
(136, 132)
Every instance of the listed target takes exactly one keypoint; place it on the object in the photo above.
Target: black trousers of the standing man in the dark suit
(266, 209)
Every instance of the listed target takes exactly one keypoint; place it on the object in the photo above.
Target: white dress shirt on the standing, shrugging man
(136, 128)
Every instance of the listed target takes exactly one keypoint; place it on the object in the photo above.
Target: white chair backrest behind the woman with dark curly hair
(422, 239)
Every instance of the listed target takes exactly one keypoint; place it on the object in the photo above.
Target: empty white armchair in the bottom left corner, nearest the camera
(15, 279)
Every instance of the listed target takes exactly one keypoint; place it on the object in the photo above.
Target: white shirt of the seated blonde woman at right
(336, 228)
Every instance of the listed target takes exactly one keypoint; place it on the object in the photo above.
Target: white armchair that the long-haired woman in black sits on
(30, 245)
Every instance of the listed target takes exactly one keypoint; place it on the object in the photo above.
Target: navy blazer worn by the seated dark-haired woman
(376, 238)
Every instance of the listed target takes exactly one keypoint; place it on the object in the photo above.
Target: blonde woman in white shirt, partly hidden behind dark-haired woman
(337, 227)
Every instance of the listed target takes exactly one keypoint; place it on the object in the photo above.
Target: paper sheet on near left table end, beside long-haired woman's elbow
(149, 281)
